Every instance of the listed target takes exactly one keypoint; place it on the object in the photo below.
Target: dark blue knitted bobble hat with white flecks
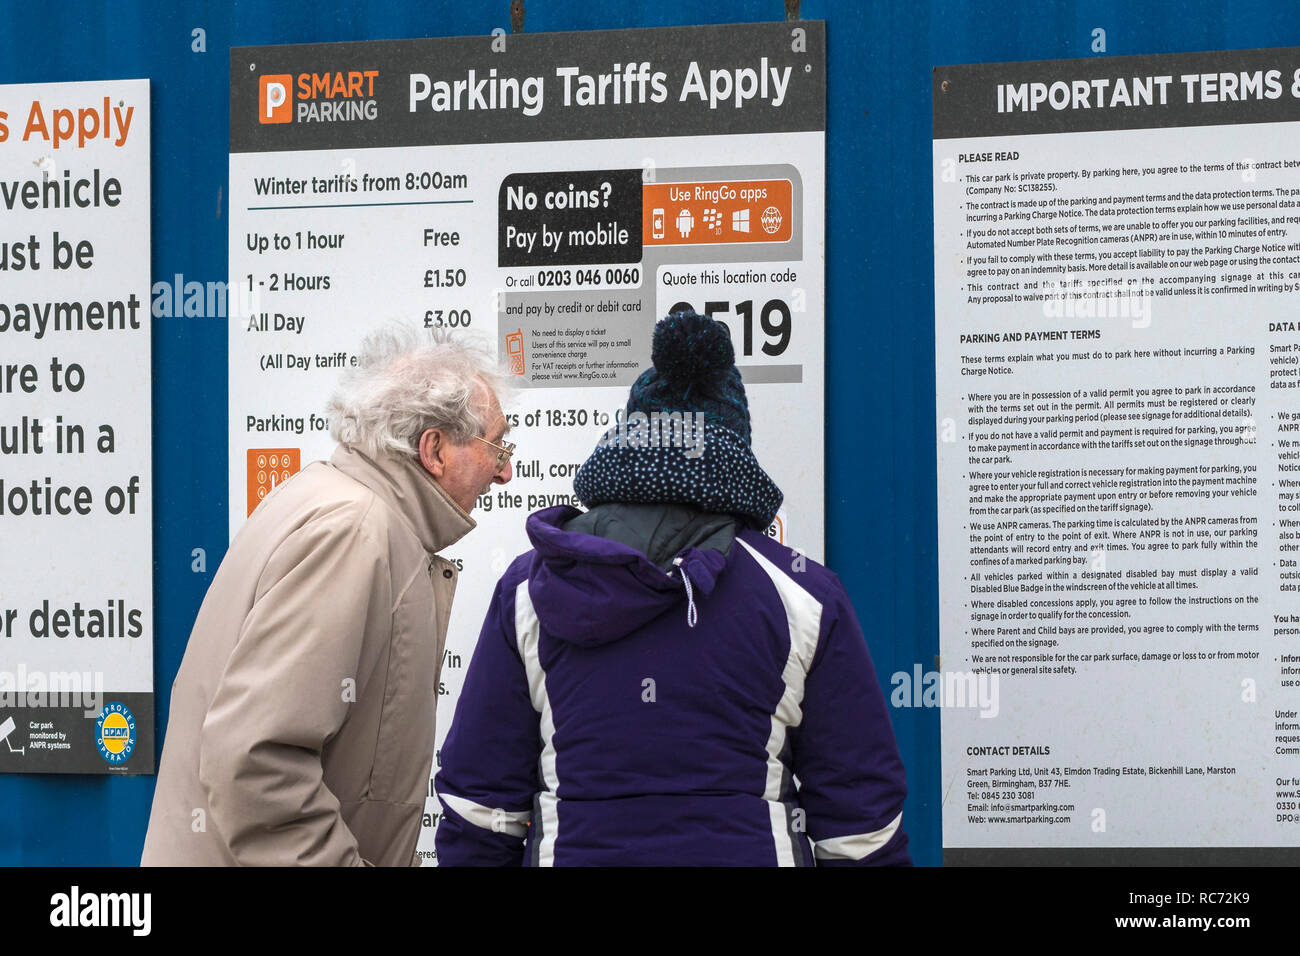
(686, 434)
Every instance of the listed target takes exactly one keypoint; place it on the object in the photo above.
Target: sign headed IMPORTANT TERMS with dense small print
(1117, 262)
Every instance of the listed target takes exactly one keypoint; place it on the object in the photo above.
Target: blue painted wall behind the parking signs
(881, 408)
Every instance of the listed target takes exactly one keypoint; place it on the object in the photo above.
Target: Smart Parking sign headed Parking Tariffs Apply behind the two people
(553, 194)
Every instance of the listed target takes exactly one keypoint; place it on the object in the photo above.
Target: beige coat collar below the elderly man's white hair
(409, 490)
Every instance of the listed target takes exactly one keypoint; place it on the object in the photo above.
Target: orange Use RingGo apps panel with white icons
(686, 214)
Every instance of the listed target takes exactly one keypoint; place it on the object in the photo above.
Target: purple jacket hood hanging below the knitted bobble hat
(590, 590)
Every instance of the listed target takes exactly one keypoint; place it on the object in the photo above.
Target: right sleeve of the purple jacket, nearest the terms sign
(852, 782)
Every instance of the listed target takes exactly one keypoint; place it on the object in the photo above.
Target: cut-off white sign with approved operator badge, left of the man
(76, 430)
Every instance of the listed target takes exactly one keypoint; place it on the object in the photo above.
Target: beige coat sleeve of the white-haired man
(281, 698)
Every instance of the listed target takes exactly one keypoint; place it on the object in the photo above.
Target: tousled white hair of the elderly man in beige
(408, 382)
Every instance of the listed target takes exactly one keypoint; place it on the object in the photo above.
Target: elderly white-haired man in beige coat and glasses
(302, 724)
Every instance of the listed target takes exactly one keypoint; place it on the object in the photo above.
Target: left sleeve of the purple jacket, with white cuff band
(489, 760)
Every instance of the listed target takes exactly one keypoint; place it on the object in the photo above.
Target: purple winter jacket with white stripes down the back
(599, 728)
